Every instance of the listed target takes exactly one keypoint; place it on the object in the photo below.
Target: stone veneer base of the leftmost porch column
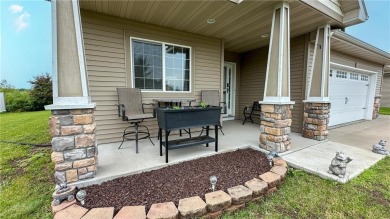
(73, 144)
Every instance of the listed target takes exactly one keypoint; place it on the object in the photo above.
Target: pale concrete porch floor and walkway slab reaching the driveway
(354, 140)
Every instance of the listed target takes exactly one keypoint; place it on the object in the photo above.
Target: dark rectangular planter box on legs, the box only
(169, 119)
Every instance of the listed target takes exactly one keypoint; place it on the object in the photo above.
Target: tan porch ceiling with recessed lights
(240, 25)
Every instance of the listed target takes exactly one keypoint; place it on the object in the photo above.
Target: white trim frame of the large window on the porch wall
(132, 78)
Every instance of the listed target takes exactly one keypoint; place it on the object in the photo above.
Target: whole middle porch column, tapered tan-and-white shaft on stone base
(276, 105)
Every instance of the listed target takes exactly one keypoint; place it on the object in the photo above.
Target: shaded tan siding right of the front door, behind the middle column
(253, 71)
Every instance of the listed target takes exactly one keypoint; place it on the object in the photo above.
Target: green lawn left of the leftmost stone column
(26, 172)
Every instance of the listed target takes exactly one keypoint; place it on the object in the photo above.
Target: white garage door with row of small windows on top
(348, 96)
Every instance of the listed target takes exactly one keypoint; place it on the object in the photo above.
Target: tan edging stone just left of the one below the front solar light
(192, 207)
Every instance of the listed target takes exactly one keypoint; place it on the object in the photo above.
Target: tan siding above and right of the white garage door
(355, 62)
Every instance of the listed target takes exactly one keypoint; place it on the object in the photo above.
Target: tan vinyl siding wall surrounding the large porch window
(108, 63)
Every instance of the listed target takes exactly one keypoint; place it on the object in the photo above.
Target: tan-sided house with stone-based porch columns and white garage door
(291, 56)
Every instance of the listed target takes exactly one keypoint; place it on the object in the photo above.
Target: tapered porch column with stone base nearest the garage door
(317, 105)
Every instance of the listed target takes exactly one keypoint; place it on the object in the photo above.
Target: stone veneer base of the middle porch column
(275, 127)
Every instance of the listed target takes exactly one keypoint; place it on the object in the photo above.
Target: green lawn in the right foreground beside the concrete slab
(306, 196)
